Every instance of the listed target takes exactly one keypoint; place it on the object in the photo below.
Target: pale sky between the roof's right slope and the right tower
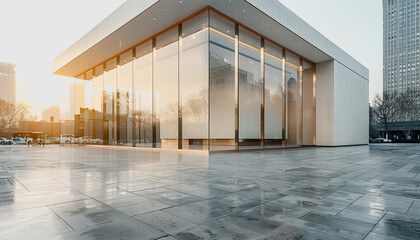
(356, 26)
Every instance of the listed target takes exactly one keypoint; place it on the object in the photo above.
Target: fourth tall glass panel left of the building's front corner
(125, 81)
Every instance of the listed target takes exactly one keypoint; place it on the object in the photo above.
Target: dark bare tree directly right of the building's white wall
(386, 109)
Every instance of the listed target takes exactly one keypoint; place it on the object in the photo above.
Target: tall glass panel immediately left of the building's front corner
(194, 81)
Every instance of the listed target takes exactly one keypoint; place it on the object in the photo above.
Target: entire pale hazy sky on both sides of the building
(35, 32)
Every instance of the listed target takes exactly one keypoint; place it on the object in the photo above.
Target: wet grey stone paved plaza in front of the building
(362, 192)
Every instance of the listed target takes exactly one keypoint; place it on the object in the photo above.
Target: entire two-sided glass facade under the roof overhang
(207, 83)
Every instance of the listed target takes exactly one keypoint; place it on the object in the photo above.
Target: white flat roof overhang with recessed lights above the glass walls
(137, 20)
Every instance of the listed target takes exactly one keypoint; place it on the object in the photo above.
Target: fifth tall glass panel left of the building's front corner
(110, 108)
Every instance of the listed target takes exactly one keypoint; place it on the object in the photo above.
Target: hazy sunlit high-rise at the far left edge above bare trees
(8, 82)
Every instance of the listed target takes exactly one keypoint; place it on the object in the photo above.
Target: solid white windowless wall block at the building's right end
(342, 106)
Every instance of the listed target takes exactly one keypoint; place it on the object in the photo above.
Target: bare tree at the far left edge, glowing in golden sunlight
(11, 114)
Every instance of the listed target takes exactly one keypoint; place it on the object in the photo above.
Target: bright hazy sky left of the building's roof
(33, 33)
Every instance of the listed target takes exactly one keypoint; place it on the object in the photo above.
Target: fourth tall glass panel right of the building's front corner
(293, 106)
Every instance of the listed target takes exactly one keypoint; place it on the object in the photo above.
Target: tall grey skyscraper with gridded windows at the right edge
(401, 44)
